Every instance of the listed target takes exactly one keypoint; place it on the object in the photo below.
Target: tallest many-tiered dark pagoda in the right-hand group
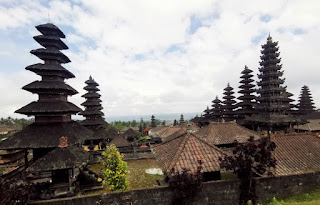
(273, 107)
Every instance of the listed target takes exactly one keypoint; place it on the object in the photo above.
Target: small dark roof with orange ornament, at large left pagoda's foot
(61, 158)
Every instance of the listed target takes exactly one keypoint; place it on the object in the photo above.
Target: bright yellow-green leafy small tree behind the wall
(114, 169)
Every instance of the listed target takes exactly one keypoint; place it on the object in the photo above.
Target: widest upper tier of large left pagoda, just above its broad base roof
(52, 107)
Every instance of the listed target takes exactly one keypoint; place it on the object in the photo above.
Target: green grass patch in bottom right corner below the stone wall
(307, 198)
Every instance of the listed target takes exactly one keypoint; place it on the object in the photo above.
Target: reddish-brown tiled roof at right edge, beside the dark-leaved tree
(297, 154)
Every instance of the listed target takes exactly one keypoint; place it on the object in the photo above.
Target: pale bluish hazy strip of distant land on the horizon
(167, 117)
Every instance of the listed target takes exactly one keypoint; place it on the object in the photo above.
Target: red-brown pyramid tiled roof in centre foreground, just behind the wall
(185, 151)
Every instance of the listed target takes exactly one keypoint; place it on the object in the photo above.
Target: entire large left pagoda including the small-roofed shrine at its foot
(54, 138)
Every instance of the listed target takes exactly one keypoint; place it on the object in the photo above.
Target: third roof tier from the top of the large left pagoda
(50, 54)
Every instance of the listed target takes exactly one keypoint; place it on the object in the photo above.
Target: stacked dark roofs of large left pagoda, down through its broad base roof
(52, 110)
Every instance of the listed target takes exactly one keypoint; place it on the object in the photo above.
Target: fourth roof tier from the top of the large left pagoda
(50, 69)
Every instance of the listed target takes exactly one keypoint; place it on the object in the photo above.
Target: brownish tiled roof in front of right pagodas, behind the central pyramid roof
(225, 133)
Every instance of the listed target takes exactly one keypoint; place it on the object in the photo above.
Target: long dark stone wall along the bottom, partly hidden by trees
(218, 192)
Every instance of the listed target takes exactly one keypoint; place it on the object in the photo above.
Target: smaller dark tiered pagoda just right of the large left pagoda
(93, 116)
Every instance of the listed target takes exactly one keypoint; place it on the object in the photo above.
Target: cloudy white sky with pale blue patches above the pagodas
(151, 56)
